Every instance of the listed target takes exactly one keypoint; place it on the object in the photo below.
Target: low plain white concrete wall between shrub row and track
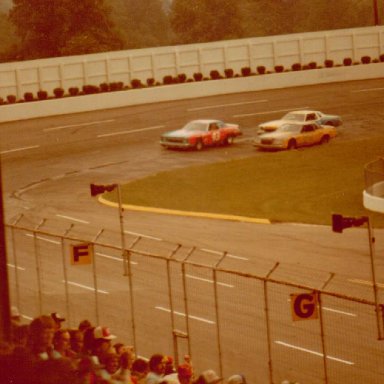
(66, 105)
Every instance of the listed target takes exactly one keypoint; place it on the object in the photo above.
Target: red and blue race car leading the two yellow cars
(198, 134)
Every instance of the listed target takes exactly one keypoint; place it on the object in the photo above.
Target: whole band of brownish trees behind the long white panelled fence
(49, 28)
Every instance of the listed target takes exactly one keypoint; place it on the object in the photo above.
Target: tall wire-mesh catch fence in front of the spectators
(182, 300)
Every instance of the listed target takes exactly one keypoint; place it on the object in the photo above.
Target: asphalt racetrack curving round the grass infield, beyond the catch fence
(48, 164)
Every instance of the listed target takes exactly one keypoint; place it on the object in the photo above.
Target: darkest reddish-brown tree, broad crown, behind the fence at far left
(49, 28)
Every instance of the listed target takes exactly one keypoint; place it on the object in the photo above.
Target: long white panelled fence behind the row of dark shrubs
(123, 66)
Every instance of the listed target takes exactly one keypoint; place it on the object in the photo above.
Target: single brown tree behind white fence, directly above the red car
(206, 20)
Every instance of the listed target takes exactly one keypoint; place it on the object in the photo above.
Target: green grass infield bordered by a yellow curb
(304, 186)
